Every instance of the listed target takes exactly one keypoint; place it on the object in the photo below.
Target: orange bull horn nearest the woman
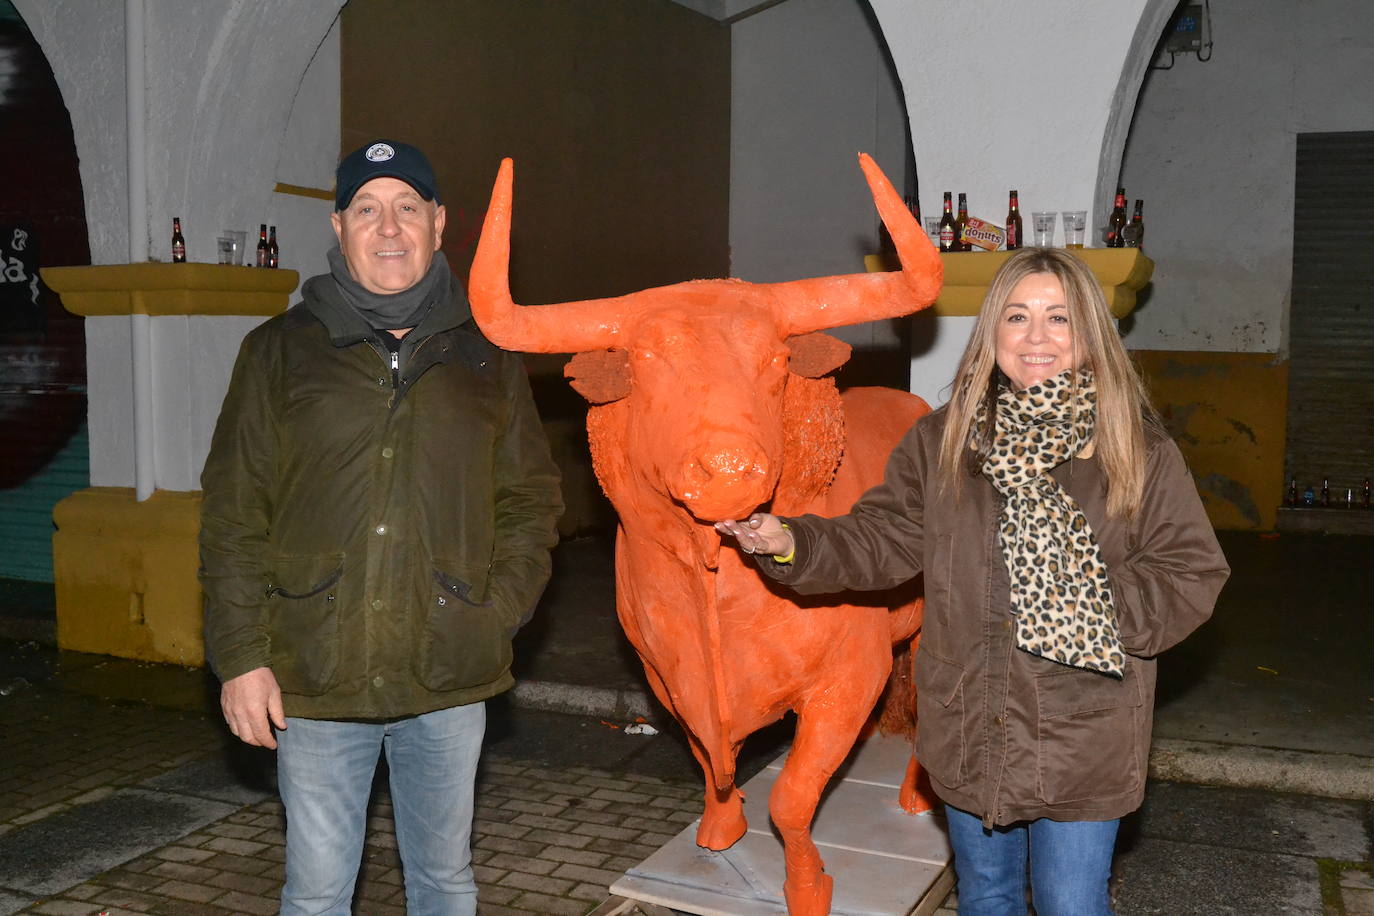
(835, 301)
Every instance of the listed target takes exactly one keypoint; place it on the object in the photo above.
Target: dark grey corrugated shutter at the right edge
(1332, 321)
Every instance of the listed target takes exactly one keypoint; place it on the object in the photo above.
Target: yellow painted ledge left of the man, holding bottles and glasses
(171, 289)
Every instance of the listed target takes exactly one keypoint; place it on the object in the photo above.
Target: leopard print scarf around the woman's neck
(1060, 590)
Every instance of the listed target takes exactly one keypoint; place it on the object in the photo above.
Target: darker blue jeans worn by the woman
(1071, 863)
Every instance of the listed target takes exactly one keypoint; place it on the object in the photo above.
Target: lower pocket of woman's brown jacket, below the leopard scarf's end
(1088, 735)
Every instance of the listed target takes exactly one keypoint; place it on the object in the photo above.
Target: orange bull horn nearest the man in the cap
(570, 328)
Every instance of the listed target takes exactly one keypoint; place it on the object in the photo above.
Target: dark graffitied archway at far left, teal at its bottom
(42, 347)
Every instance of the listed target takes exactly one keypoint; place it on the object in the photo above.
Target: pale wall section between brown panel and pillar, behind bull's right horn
(810, 90)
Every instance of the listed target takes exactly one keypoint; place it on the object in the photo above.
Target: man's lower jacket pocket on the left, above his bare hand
(304, 610)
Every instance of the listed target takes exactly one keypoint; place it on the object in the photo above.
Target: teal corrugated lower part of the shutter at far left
(27, 512)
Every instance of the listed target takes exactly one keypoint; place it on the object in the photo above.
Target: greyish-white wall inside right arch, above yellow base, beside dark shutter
(1213, 154)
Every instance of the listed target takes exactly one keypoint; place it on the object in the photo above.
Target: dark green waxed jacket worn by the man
(374, 536)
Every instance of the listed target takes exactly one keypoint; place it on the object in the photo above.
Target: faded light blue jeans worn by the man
(325, 774)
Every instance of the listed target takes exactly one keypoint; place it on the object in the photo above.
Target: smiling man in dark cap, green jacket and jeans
(380, 505)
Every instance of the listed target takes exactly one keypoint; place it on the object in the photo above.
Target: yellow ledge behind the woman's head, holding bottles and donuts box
(1123, 273)
